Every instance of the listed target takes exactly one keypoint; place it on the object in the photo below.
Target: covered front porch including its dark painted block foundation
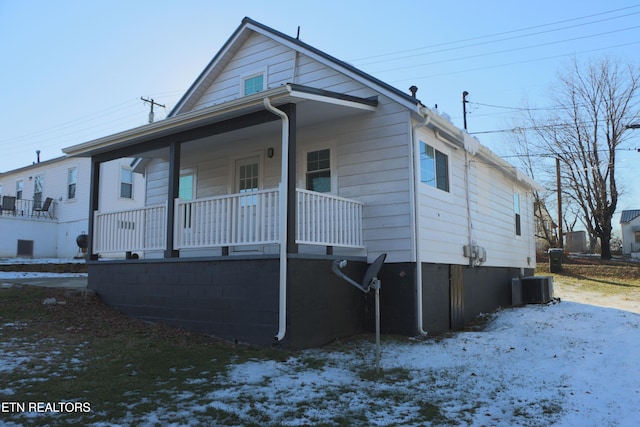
(243, 216)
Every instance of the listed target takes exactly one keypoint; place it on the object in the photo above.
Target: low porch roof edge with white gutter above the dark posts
(313, 106)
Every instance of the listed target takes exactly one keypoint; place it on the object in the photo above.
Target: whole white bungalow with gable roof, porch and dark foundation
(281, 159)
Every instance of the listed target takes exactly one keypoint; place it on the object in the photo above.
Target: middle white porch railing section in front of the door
(231, 220)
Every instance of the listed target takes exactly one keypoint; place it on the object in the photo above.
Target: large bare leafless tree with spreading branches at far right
(591, 106)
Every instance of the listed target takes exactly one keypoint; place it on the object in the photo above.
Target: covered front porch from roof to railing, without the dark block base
(234, 178)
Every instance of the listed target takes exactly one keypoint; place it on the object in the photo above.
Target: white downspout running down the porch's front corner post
(282, 304)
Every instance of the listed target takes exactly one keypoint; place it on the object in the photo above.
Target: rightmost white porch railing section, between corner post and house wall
(324, 219)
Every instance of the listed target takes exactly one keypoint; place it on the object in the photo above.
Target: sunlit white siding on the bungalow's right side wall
(444, 217)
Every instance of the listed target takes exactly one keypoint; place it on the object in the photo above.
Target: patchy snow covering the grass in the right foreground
(568, 364)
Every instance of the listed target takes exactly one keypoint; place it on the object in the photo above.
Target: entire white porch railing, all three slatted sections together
(245, 219)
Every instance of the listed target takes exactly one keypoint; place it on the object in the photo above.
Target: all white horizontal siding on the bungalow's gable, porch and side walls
(373, 165)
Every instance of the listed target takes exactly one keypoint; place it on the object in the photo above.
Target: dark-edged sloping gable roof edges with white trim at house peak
(242, 33)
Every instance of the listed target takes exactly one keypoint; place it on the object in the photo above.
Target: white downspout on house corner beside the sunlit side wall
(415, 149)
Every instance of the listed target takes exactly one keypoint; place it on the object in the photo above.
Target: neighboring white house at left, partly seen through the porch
(39, 228)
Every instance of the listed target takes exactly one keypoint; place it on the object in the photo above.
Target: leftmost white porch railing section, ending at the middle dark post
(131, 230)
